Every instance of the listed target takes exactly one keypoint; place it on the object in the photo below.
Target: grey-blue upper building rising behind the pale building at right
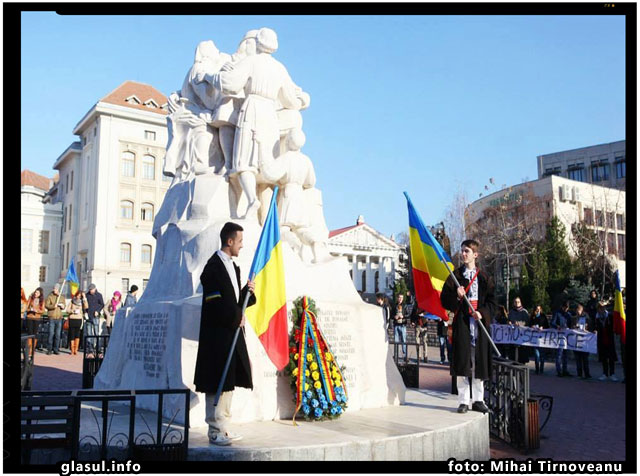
(603, 164)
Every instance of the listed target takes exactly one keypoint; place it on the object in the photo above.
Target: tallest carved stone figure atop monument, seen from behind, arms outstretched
(264, 81)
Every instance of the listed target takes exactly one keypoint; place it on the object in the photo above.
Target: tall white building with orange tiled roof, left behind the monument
(111, 185)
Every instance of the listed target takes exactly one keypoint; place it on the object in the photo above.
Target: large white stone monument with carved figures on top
(154, 344)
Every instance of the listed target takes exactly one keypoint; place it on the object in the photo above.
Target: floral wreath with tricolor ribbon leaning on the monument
(316, 377)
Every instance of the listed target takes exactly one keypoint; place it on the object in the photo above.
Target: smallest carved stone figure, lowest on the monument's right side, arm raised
(301, 216)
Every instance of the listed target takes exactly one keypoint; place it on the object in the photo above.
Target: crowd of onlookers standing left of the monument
(84, 314)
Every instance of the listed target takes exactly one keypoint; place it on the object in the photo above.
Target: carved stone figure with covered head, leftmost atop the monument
(193, 144)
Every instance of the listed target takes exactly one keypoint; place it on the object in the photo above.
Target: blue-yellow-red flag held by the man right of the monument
(427, 262)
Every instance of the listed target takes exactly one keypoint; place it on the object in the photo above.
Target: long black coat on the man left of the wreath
(220, 317)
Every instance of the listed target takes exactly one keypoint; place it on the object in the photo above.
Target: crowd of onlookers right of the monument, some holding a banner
(402, 312)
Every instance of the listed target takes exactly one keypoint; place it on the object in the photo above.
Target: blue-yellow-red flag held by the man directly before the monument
(268, 316)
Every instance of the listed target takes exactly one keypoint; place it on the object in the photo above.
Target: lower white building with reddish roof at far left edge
(40, 234)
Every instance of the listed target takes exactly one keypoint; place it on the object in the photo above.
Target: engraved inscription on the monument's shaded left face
(148, 342)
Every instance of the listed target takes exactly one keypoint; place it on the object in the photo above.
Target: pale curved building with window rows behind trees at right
(601, 208)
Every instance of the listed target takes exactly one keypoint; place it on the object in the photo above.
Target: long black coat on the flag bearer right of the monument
(461, 362)
